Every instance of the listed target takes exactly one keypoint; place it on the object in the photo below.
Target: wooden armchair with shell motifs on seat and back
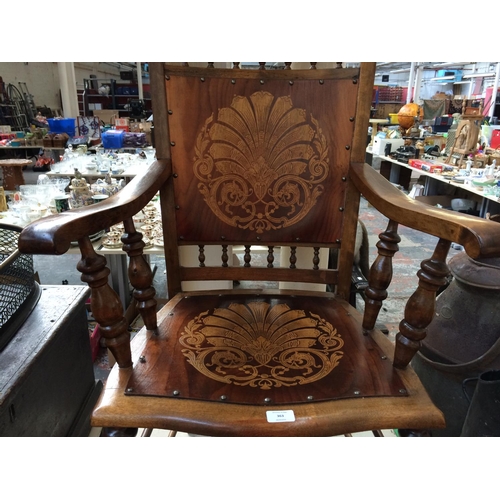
(271, 158)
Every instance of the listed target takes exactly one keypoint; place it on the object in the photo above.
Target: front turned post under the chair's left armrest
(106, 305)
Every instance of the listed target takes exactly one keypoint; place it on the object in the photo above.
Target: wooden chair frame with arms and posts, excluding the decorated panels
(53, 235)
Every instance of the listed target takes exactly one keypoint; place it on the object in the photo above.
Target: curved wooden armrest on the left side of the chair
(53, 235)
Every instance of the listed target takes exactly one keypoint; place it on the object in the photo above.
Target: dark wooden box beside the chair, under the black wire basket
(47, 384)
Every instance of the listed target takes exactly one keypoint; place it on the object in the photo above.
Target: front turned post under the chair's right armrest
(419, 310)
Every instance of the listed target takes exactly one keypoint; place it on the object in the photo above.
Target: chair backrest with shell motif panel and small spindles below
(260, 157)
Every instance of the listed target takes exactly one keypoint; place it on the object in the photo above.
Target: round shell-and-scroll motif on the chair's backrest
(261, 162)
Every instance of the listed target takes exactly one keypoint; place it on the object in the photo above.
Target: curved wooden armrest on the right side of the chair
(479, 237)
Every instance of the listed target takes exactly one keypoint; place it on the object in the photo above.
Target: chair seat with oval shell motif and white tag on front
(220, 361)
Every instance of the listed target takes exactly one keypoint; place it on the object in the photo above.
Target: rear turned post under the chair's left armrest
(140, 275)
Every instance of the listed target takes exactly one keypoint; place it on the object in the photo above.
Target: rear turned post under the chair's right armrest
(380, 274)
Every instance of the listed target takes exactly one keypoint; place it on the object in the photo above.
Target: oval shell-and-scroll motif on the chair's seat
(260, 345)
